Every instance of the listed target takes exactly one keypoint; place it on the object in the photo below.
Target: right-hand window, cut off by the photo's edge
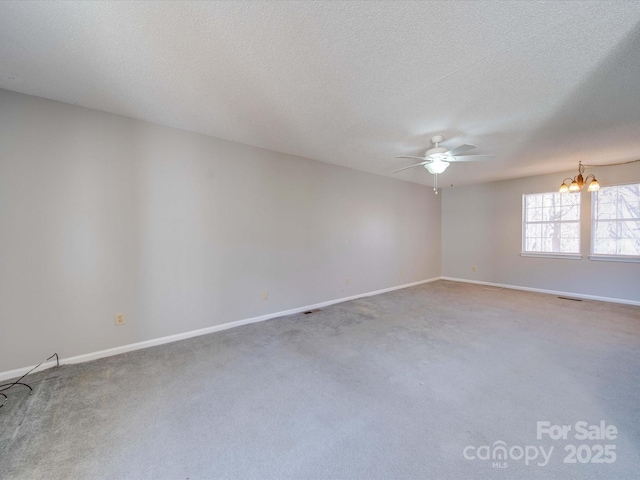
(616, 221)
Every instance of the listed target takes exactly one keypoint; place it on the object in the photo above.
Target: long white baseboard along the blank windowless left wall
(86, 357)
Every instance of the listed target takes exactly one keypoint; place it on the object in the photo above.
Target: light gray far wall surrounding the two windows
(482, 227)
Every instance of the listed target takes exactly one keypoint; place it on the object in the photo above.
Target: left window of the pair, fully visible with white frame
(551, 223)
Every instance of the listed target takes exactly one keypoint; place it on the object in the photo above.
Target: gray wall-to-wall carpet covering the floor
(414, 384)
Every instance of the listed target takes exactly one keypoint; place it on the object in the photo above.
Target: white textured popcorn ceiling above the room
(541, 84)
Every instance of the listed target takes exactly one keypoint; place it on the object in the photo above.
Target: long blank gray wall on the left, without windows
(102, 214)
